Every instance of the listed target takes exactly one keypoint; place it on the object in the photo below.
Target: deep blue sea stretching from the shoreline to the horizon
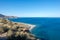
(46, 28)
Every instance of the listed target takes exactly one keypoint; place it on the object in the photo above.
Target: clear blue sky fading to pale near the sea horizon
(30, 8)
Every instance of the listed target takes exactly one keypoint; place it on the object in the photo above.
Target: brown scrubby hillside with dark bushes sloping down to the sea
(15, 31)
